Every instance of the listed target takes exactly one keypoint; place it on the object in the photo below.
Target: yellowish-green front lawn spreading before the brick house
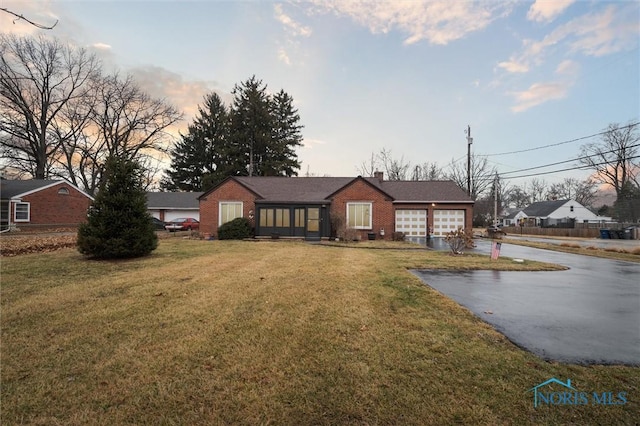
(211, 332)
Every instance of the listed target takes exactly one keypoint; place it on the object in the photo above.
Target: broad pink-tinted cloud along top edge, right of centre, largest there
(438, 22)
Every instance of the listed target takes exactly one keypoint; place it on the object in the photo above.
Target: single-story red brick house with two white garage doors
(304, 206)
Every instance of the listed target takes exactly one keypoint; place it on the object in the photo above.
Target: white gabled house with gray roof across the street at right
(557, 212)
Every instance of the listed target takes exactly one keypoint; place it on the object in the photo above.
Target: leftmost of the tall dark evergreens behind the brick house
(201, 158)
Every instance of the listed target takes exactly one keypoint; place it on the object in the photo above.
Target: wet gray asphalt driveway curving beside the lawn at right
(589, 314)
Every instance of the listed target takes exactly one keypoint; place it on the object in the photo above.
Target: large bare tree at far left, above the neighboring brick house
(40, 79)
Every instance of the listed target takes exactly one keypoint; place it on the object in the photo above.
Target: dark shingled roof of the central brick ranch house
(321, 189)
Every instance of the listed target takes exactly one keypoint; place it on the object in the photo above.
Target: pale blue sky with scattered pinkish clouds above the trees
(408, 76)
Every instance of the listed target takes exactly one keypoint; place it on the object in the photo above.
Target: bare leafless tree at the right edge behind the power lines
(615, 159)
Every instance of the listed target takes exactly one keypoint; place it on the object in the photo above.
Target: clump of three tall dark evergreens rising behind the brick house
(257, 136)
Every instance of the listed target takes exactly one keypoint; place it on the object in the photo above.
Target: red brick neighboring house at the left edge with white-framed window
(42, 203)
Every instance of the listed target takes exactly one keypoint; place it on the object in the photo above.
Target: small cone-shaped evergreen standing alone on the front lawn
(119, 225)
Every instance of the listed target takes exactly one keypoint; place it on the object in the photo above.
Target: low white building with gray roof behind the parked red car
(168, 206)
